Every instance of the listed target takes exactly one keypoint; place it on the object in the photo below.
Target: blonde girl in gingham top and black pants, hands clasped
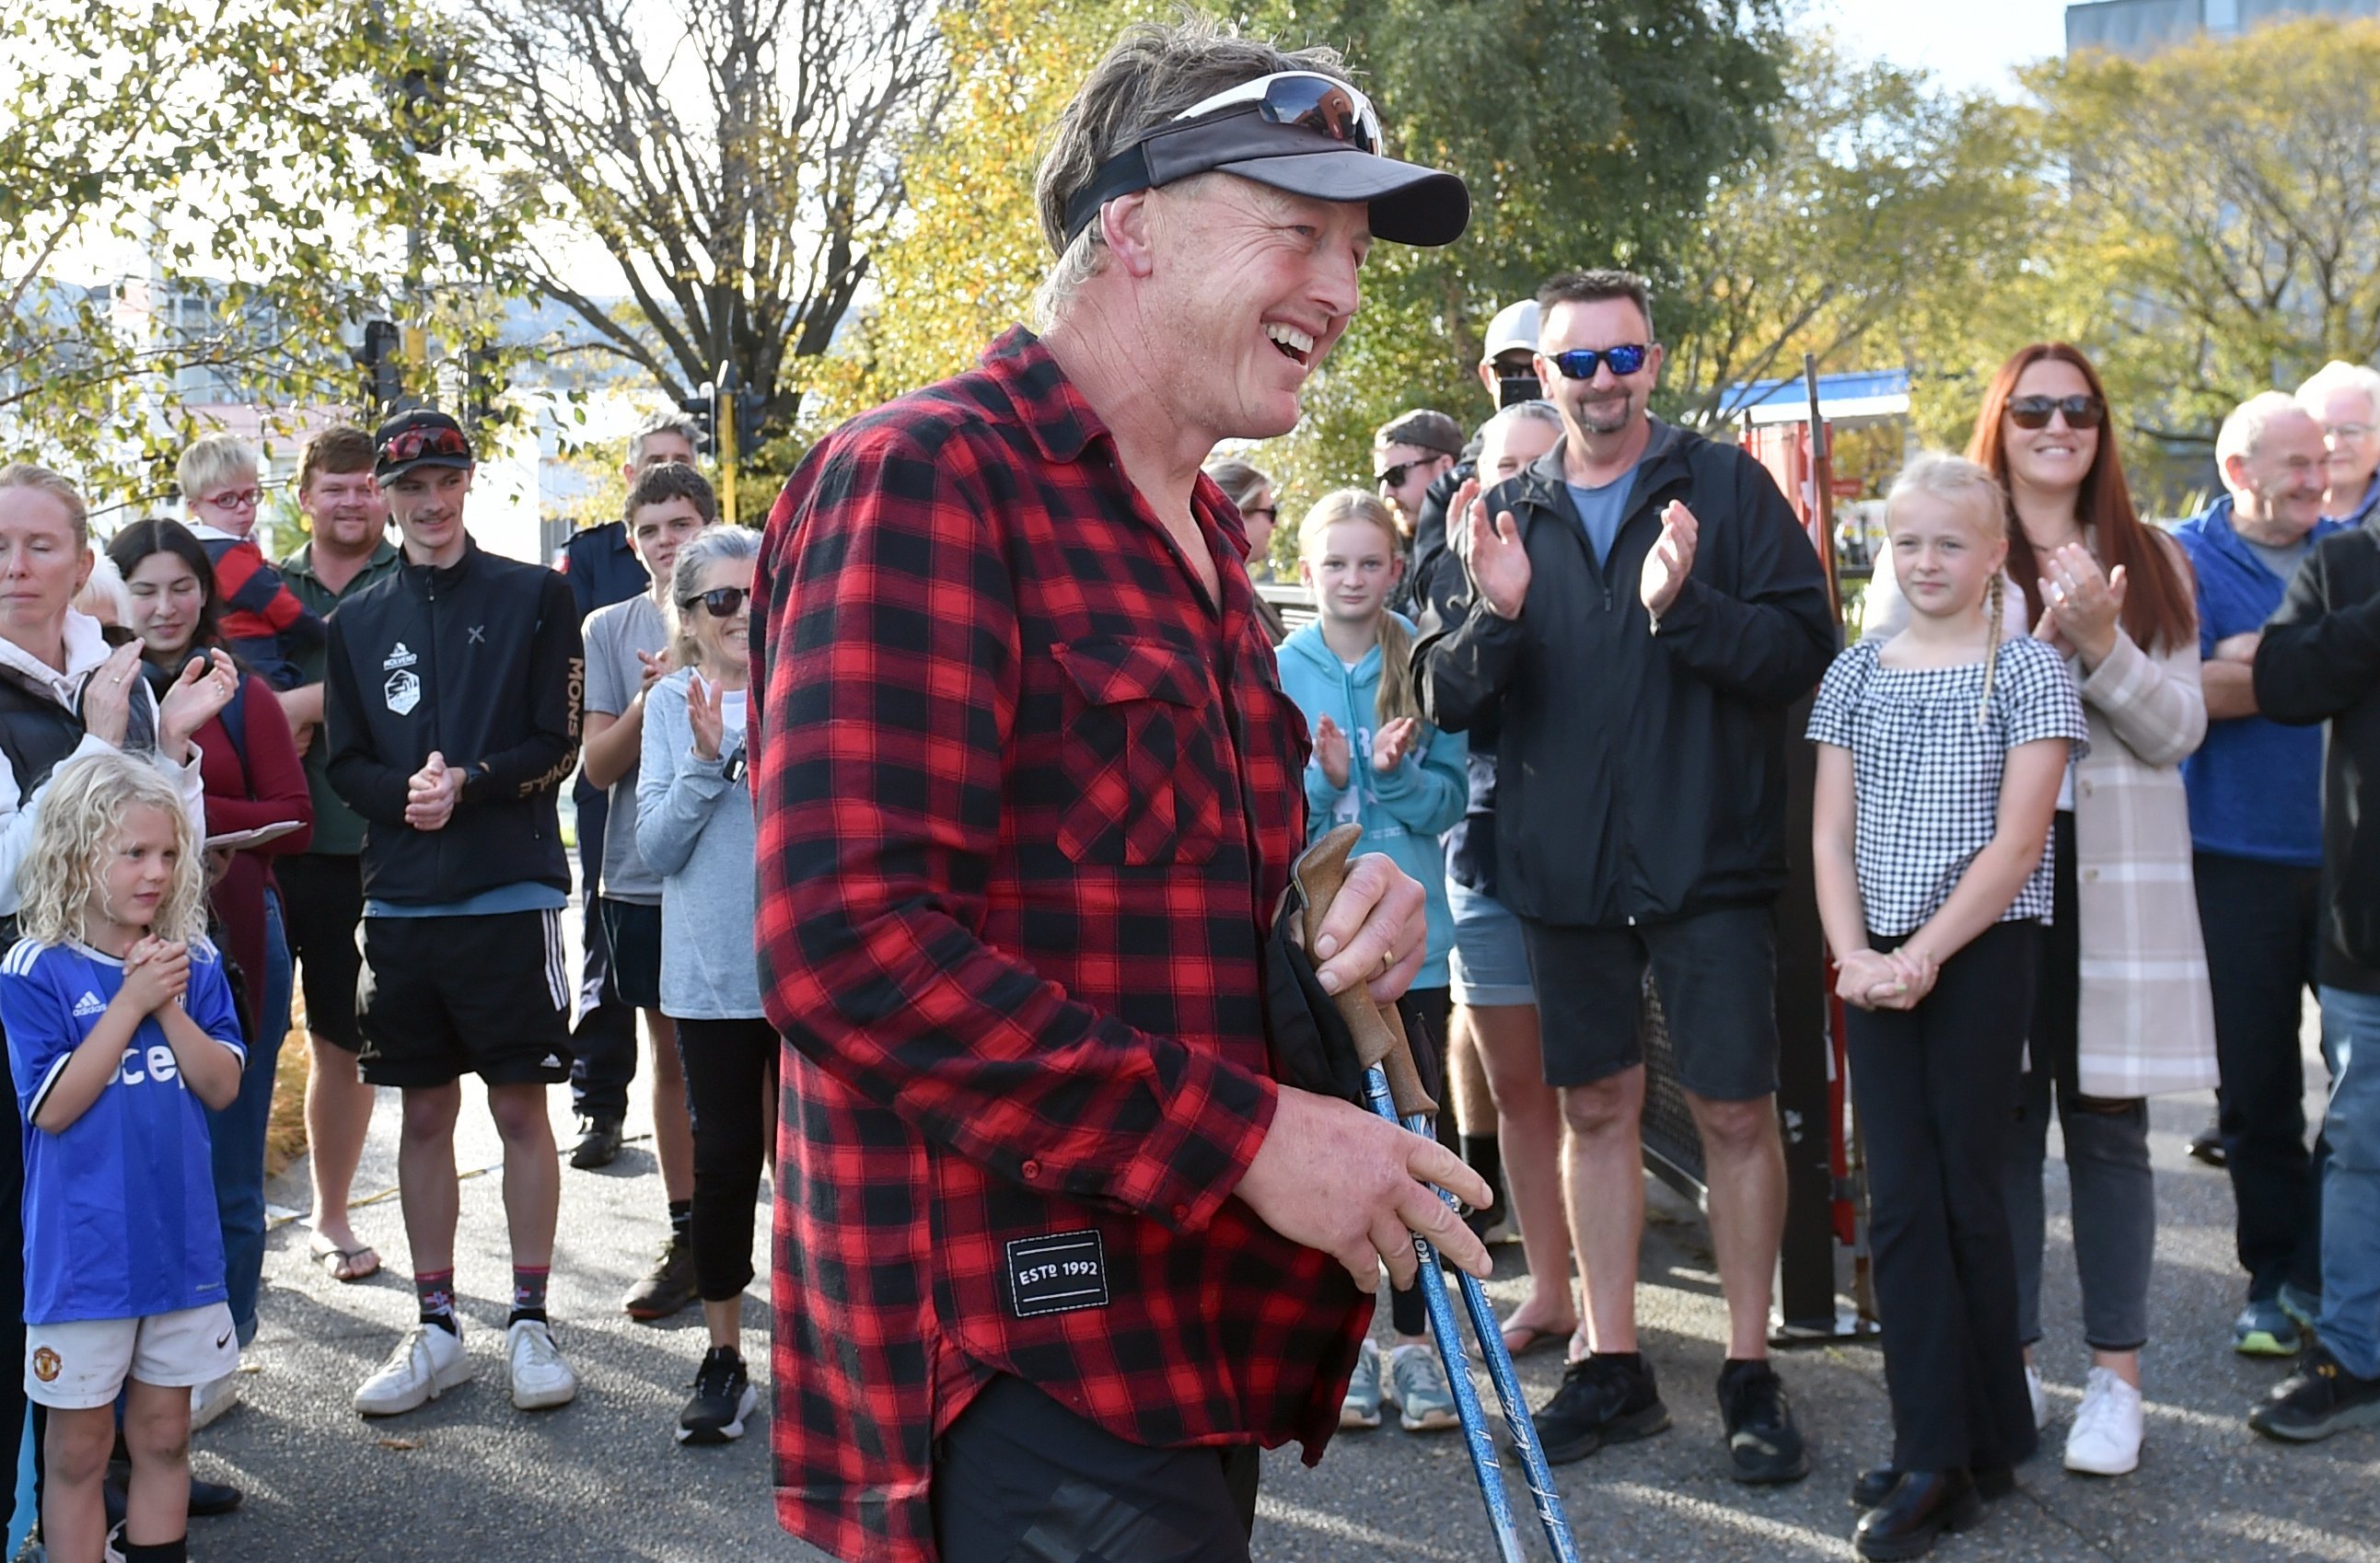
(1939, 772)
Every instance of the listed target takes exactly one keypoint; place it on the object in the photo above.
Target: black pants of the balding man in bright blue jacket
(2262, 939)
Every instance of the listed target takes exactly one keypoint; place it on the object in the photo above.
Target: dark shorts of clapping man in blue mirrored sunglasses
(1715, 974)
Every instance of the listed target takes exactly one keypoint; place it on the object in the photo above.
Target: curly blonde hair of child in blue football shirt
(80, 817)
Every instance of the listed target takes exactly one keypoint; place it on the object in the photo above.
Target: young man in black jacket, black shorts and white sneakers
(453, 715)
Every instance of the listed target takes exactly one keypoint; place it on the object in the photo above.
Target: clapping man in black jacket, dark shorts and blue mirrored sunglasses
(1643, 610)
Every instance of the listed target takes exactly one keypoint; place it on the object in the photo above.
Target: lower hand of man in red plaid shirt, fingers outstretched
(1355, 1186)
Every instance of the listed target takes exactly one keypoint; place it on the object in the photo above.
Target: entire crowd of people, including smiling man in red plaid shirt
(953, 808)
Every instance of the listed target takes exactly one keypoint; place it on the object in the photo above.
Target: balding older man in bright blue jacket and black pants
(2257, 834)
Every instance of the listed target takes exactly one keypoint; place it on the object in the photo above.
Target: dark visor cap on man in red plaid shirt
(1410, 203)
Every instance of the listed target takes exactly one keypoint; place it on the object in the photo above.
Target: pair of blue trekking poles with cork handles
(1391, 1084)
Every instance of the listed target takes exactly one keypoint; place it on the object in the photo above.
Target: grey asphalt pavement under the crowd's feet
(475, 1481)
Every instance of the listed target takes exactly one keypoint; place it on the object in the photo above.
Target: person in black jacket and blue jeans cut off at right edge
(2319, 660)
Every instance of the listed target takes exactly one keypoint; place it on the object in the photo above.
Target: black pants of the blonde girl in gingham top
(1934, 1091)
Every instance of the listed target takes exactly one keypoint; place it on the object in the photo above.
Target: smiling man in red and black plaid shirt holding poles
(1056, 1250)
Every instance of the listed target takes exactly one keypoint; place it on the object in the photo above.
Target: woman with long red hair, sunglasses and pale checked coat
(2122, 1010)
